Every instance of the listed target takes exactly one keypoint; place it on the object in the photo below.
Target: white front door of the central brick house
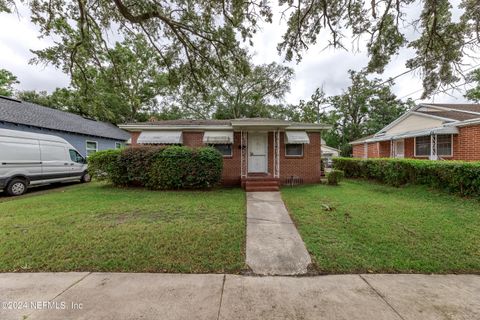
(257, 152)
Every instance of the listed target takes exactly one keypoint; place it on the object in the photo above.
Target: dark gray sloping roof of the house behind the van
(31, 114)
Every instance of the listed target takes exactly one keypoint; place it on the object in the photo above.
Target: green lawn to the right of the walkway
(376, 228)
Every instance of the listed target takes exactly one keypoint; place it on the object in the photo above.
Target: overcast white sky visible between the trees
(319, 67)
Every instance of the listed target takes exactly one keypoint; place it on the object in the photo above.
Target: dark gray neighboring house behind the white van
(86, 135)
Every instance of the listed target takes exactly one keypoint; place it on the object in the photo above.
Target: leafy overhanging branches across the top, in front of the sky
(195, 42)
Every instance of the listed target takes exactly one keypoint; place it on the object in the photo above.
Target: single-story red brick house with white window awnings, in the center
(259, 154)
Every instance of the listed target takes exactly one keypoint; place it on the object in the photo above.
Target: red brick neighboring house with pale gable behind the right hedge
(428, 131)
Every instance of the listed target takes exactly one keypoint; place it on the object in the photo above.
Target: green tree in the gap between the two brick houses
(364, 108)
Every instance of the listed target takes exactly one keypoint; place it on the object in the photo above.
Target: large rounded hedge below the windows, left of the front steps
(171, 167)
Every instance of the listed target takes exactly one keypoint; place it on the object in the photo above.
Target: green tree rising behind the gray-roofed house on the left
(117, 87)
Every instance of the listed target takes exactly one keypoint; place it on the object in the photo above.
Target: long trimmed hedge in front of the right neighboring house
(453, 176)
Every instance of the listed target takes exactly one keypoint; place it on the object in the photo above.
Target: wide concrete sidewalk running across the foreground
(215, 296)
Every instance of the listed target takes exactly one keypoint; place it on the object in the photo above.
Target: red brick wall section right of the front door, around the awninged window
(306, 167)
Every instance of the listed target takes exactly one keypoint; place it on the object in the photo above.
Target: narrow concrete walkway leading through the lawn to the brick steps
(274, 246)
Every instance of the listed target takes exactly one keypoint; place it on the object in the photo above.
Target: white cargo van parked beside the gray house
(28, 159)
